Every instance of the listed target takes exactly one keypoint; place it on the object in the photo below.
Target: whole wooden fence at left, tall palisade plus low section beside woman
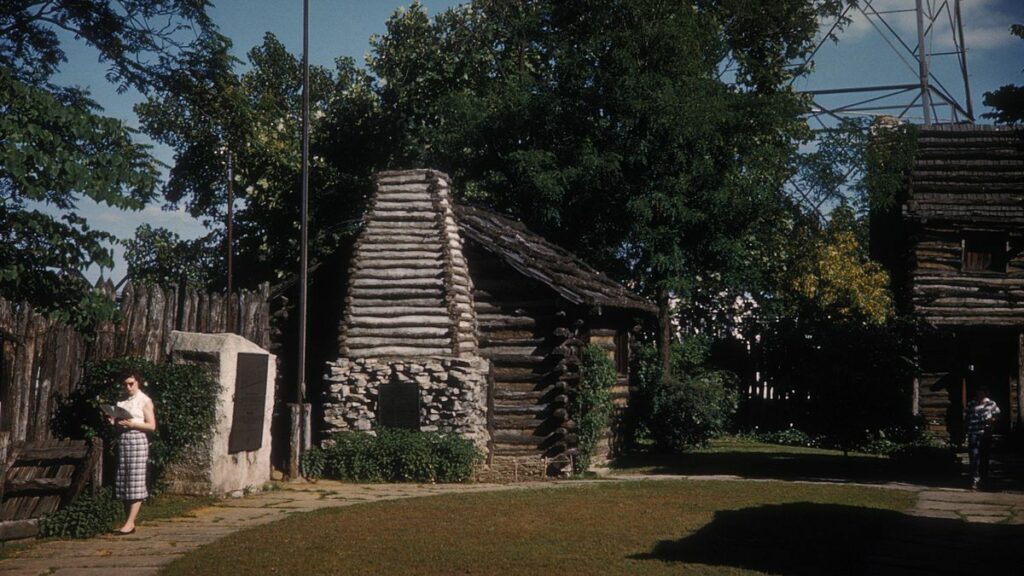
(42, 360)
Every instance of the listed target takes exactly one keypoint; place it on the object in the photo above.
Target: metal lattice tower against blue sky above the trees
(925, 78)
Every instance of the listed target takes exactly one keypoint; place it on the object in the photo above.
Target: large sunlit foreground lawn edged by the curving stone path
(657, 527)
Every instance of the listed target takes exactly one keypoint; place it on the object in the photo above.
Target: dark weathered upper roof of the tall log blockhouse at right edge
(968, 174)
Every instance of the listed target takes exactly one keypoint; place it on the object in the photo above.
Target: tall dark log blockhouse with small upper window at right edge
(956, 257)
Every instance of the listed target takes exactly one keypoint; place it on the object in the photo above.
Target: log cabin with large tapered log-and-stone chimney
(458, 319)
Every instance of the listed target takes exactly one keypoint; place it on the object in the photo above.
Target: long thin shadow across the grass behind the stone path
(786, 465)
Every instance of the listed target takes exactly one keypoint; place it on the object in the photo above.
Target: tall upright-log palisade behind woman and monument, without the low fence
(42, 360)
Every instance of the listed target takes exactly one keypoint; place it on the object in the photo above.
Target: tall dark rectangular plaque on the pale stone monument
(250, 402)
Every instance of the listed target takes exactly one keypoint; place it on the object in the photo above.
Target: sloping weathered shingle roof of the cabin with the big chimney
(535, 258)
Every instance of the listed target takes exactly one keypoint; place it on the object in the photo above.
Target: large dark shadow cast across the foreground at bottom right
(806, 540)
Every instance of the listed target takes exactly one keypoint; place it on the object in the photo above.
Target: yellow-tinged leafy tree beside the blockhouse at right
(832, 343)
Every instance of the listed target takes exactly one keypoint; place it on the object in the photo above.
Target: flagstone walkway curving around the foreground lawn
(941, 536)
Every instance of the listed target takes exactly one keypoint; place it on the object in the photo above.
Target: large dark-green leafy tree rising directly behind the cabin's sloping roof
(609, 127)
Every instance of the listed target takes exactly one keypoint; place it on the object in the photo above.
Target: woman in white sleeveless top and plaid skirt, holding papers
(134, 450)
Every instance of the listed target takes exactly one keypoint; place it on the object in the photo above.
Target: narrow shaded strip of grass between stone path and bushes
(749, 459)
